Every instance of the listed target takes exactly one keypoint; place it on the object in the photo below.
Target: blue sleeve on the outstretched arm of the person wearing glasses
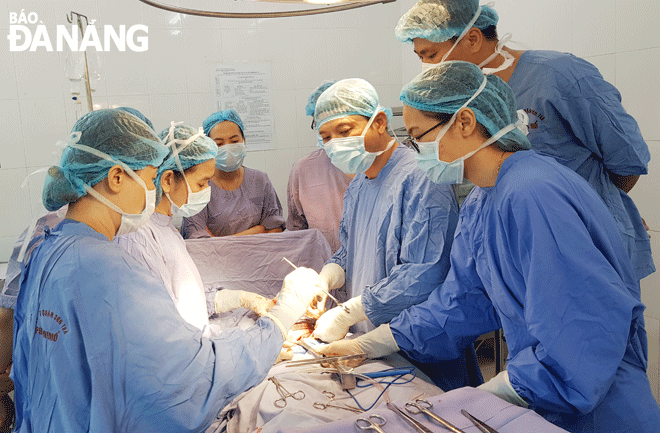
(454, 315)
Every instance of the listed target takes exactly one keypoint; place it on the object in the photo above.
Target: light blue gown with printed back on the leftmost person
(99, 345)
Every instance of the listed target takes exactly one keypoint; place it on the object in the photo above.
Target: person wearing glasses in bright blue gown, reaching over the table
(537, 253)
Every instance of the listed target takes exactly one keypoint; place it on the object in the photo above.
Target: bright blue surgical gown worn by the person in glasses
(539, 255)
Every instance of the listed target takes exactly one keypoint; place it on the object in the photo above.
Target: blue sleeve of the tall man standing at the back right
(594, 112)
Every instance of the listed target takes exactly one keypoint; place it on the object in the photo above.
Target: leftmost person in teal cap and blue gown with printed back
(98, 343)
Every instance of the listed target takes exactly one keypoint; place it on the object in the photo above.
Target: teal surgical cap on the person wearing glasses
(447, 86)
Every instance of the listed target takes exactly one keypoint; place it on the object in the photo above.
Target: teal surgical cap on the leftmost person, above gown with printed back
(118, 134)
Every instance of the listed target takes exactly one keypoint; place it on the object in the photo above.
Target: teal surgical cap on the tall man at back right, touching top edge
(441, 20)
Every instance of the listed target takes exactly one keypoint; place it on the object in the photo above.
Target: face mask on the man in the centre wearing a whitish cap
(349, 154)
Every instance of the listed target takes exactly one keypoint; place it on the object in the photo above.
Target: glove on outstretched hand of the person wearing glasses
(376, 344)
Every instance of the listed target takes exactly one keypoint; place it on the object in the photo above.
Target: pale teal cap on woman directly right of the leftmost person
(200, 150)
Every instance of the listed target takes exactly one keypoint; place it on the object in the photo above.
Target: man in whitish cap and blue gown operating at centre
(396, 226)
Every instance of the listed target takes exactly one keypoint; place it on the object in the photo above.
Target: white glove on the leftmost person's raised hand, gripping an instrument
(299, 288)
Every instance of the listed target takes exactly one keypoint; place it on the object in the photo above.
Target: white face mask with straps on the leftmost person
(129, 222)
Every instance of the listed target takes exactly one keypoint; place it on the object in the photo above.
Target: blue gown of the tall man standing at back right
(577, 118)
